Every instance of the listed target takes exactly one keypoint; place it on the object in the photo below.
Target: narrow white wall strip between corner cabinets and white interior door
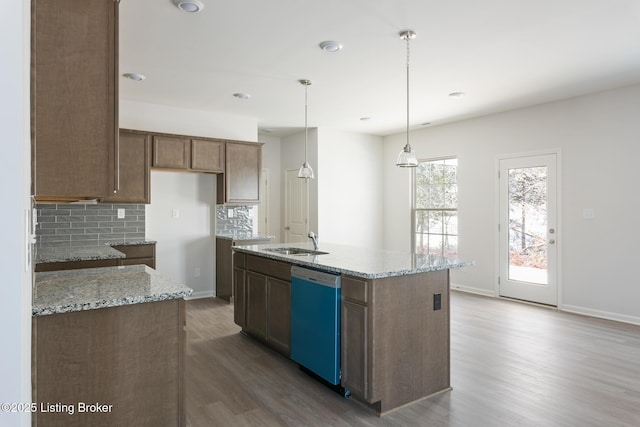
(271, 161)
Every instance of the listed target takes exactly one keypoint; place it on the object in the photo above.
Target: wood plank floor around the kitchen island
(512, 364)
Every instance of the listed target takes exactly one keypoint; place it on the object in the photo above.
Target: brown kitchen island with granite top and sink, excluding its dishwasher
(394, 331)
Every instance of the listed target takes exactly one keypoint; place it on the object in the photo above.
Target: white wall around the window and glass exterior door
(598, 136)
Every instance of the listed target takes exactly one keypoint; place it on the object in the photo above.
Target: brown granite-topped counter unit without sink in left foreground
(108, 347)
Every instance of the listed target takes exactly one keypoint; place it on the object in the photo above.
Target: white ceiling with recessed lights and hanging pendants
(503, 54)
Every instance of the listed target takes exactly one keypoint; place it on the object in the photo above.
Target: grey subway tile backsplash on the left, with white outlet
(87, 224)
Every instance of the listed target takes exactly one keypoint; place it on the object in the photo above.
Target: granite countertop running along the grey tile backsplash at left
(85, 253)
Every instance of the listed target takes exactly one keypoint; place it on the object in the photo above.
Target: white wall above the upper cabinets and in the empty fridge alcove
(187, 242)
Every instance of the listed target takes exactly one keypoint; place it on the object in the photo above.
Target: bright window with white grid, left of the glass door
(436, 207)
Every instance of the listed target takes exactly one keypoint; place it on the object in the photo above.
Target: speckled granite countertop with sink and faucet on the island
(359, 262)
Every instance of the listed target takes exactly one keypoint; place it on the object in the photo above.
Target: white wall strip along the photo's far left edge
(15, 304)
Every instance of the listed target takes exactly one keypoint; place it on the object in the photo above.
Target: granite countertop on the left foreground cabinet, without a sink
(91, 288)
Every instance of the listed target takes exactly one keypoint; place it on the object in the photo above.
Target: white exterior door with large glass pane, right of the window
(528, 235)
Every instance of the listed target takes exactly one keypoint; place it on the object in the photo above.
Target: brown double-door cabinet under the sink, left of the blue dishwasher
(262, 304)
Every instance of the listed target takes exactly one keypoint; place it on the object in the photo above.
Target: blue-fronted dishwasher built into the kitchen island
(315, 322)
